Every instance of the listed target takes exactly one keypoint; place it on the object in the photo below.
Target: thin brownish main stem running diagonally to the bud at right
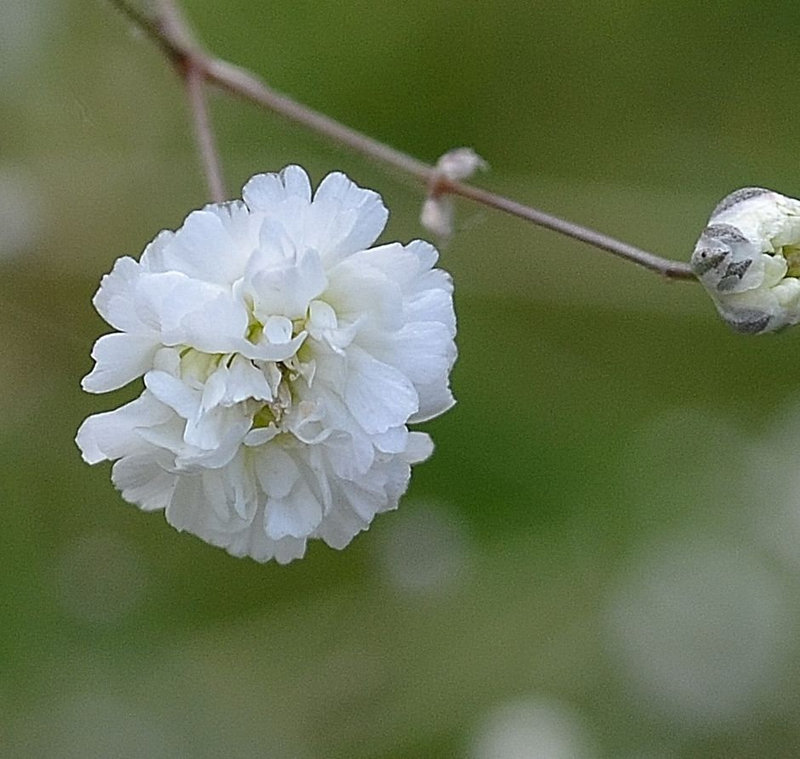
(178, 45)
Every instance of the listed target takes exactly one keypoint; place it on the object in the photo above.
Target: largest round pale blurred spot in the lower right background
(700, 631)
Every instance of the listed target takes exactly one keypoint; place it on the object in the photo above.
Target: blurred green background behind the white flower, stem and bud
(602, 559)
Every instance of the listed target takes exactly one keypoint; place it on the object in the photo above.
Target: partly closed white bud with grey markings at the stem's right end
(748, 258)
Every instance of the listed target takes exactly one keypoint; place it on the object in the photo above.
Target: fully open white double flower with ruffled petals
(283, 359)
